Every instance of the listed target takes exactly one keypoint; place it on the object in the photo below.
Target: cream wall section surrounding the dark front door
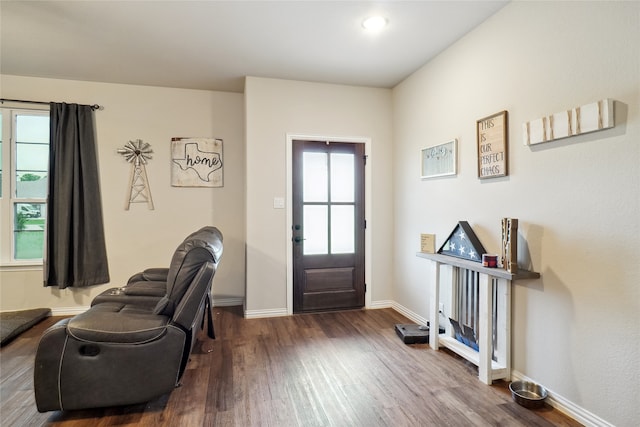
(275, 108)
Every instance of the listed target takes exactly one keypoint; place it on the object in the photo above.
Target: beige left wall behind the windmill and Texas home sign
(141, 238)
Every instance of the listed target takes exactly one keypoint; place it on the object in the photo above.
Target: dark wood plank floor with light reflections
(330, 369)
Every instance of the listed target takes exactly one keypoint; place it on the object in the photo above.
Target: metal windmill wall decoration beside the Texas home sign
(138, 153)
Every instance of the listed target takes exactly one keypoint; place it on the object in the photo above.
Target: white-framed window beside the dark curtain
(24, 163)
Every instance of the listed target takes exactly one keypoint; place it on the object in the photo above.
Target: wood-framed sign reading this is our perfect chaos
(492, 134)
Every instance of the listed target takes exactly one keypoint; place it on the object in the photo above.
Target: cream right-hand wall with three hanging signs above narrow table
(575, 330)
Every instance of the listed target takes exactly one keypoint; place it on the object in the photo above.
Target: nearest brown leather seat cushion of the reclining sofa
(117, 323)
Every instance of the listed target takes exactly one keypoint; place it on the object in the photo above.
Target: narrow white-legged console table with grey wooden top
(488, 369)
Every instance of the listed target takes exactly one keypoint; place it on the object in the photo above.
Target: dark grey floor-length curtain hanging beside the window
(75, 249)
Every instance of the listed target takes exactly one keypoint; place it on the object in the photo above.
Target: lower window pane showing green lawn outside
(29, 230)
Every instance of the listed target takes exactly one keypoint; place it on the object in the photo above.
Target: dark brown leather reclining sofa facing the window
(132, 345)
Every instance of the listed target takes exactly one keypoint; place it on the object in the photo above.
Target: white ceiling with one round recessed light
(213, 45)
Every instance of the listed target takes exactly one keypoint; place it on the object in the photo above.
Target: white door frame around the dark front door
(367, 210)
